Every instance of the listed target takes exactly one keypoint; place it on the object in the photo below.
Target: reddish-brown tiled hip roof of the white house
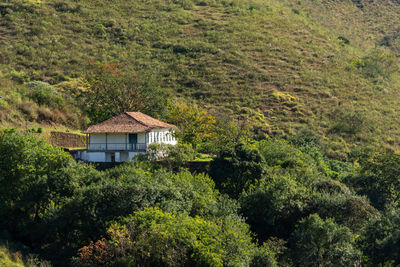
(129, 122)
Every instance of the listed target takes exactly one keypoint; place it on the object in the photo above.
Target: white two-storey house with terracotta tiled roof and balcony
(122, 137)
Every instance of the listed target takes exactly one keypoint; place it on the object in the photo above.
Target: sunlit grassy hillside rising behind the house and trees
(280, 65)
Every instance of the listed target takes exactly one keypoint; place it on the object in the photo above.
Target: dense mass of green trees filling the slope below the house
(290, 208)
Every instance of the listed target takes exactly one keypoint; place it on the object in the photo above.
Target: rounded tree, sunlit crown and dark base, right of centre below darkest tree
(274, 206)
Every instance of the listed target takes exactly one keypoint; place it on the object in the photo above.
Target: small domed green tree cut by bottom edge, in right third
(318, 242)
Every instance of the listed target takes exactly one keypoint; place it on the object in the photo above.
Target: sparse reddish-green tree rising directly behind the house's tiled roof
(112, 91)
